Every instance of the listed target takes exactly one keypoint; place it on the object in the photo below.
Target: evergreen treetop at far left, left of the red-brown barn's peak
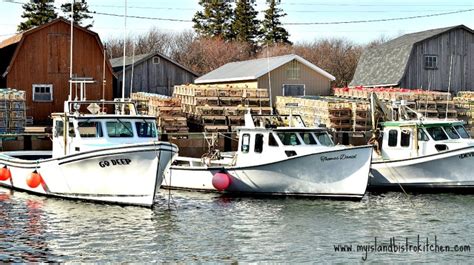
(37, 13)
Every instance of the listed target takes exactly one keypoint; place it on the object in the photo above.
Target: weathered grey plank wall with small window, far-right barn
(457, 43)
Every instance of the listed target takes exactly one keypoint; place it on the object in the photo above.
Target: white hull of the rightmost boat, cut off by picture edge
(445, 171)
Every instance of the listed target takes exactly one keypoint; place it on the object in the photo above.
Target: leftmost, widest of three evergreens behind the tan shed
(214, 20)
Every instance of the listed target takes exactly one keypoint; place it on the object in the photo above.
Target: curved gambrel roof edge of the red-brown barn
(19, 38)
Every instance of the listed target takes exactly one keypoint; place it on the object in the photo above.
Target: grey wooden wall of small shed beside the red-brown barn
(154, 78)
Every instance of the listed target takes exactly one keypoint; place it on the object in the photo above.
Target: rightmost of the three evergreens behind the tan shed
(272, 30)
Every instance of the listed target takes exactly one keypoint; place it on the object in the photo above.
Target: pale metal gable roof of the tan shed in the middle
(253, 69)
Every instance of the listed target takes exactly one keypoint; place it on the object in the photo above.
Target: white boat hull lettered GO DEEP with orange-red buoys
(126, 175)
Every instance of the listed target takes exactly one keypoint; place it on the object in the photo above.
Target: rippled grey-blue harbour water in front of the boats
(202, 227)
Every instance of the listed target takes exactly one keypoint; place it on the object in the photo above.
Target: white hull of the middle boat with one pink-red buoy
(340, 173)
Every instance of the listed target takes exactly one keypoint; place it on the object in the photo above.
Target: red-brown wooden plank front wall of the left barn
(43, 58)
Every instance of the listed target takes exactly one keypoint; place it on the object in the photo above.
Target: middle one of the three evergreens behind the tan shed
(245, 24)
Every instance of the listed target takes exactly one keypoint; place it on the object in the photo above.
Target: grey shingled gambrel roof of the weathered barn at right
(385, 64)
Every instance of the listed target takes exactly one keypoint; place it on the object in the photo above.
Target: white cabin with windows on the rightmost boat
(406, 139)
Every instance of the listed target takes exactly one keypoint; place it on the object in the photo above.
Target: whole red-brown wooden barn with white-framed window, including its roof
(37, 62)
